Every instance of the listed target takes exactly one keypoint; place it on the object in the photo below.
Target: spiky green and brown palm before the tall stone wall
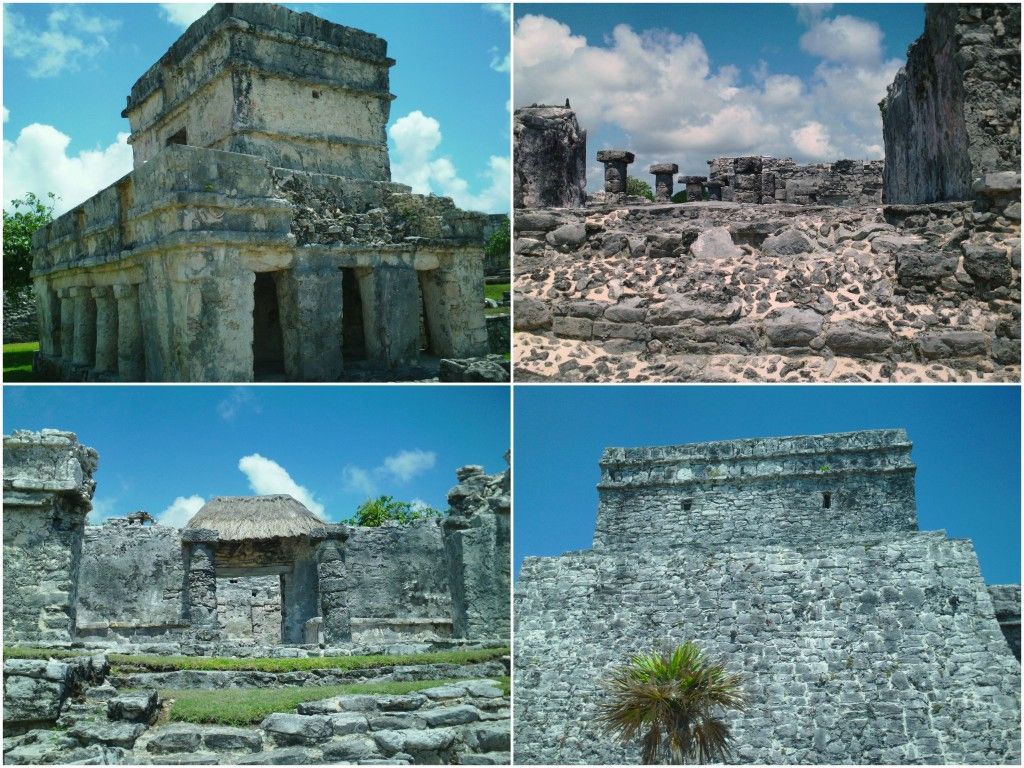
(673, 698)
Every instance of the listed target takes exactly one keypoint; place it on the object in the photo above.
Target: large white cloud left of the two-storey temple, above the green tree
(38, 162)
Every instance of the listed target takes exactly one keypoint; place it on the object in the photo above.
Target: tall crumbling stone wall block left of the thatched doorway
(48, 493)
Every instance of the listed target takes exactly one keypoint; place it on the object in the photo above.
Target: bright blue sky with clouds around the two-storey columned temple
(69, 68)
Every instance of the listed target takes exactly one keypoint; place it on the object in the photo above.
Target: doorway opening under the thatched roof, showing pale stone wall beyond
(250, 608)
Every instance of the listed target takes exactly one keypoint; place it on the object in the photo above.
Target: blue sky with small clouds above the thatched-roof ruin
(166, 450)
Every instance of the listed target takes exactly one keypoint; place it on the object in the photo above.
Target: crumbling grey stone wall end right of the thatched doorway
(478, 540)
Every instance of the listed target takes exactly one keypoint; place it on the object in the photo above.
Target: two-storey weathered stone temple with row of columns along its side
(260, 236)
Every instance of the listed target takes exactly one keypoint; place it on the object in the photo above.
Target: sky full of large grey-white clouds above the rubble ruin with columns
(689, 82)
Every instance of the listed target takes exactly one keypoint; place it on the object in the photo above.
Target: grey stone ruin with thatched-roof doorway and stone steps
(247, 577)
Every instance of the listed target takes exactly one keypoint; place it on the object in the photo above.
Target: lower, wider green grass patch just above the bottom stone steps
(246, 707)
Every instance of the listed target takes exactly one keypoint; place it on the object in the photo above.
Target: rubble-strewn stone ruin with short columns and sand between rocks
(908, 271)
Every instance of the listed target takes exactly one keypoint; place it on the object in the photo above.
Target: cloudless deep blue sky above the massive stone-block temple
(966, 446)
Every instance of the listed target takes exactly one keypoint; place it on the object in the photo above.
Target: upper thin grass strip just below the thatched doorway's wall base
(129, 663)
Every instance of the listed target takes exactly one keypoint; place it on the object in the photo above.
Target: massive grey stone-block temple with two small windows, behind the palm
(797, 561)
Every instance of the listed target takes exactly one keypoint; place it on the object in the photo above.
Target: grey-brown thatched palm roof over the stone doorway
(241, 518)
